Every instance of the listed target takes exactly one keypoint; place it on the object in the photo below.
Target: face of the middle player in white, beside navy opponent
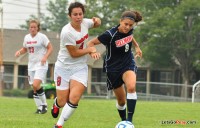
(77, 16)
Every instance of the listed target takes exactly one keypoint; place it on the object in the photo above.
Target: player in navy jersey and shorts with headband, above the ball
(119, 63)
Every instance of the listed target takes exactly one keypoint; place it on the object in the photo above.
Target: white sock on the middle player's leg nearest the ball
(67, 111)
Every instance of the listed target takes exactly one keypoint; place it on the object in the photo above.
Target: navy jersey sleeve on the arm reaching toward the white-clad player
(105, 38)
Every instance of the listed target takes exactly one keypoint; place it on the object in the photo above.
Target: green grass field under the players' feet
(19, 113)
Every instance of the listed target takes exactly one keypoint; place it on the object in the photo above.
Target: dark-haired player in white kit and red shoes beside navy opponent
(71, 70)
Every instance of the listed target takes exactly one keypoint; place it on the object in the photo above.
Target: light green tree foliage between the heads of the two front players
(108, 10)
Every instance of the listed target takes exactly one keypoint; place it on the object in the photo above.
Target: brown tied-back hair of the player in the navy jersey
(133, 15)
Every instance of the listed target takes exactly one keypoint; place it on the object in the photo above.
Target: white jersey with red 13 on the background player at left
(36, 48)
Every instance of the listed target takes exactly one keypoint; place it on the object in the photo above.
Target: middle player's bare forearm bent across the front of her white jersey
(75, 52)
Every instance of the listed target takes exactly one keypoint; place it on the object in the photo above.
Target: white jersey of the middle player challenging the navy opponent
(69, 36)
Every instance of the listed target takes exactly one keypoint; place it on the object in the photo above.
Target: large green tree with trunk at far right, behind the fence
(171, 37)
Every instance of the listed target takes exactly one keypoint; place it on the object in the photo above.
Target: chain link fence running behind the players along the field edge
(153, 91)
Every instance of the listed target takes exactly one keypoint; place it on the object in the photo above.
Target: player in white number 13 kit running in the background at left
(39, 48)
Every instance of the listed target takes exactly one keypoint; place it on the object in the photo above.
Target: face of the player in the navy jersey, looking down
(126, 25)
